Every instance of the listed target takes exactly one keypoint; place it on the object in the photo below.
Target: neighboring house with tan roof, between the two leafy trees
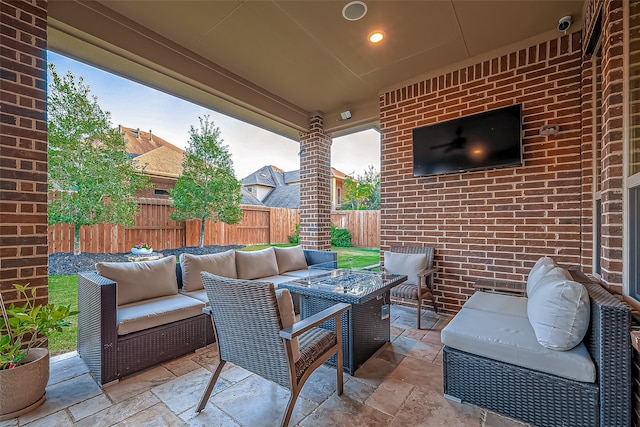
(162, 160)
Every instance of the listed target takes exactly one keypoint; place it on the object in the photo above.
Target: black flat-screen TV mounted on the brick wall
(487, 140)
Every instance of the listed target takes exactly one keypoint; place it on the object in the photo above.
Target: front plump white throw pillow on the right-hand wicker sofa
(559, 312)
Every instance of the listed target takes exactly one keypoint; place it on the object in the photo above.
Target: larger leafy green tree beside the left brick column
(90, 177)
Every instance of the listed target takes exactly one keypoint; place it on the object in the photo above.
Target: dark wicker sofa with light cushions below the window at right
(493, 356)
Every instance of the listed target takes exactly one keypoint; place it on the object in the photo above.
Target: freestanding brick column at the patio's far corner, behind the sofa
(315, 186)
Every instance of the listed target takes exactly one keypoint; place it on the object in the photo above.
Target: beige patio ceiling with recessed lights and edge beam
(271, 63)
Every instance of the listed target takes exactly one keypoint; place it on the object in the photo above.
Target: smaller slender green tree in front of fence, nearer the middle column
(207, 187)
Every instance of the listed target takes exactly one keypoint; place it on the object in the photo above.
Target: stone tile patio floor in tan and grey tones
(401, 385)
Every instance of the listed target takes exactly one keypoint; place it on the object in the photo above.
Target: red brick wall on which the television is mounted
(490, 223)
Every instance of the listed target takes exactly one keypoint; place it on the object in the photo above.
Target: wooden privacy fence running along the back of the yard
(154, 226)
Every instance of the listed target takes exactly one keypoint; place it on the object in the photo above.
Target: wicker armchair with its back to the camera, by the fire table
(249, 330)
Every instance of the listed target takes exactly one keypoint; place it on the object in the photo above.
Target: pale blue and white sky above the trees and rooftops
(137, 106)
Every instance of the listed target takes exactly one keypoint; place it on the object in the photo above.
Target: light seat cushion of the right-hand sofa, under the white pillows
(511, 339)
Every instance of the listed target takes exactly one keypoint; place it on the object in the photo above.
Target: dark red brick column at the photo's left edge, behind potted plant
(23, 146)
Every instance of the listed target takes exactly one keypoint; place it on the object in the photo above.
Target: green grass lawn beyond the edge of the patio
(64, 290)
